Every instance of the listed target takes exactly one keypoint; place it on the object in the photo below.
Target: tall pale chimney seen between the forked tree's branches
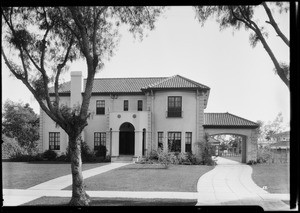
(76, 88)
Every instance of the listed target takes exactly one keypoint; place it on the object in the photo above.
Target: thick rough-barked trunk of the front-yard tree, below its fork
(79, 196)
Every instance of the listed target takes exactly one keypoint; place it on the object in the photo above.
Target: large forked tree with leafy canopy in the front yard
(44, 40)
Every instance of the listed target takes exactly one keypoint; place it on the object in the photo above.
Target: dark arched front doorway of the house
(126, 139)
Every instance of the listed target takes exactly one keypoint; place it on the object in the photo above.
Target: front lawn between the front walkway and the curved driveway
(148, 177)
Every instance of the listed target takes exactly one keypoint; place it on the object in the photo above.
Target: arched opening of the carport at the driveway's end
(231, 146)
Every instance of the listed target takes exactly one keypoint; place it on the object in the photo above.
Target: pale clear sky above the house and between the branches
(241, 78)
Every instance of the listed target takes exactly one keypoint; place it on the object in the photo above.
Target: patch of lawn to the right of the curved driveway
(275, 176)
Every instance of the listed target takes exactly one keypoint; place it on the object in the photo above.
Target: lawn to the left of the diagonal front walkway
(22, 175)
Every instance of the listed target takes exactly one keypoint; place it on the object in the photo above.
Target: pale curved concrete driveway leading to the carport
(230, 183)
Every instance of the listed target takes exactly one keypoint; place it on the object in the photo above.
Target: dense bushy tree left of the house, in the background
(19, 121)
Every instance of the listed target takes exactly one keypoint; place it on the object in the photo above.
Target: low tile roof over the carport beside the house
(226, 120)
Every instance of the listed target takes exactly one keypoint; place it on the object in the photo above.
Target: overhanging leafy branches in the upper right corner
(243, 15)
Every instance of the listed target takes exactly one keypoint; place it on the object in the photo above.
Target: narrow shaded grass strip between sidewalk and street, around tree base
(63, 201)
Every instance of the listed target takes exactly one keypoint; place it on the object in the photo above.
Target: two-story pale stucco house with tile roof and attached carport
(132, 116)
